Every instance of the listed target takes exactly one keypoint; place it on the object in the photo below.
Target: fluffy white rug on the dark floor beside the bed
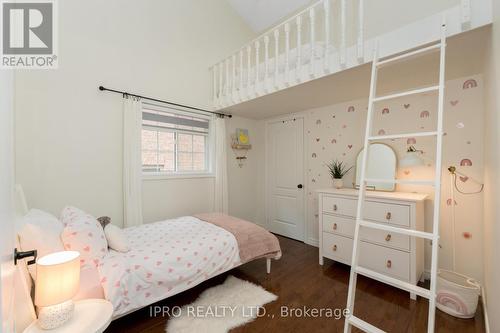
(221, 308)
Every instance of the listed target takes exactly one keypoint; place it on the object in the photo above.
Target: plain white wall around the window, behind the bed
(69, 135)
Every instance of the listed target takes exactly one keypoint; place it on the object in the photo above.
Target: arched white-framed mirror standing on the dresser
(381, 165)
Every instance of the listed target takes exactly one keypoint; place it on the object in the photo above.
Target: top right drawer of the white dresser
(389, 213)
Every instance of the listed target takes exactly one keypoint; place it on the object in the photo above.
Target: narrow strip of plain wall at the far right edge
(492, 176)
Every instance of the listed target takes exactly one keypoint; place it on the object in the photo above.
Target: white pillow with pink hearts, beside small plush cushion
(83, 233)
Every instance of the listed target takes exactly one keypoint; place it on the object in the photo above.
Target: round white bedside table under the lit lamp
(91, 315)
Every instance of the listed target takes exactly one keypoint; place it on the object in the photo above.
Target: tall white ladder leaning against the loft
(352, 320)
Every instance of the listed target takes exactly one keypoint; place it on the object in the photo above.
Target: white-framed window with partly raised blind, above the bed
(174, 142)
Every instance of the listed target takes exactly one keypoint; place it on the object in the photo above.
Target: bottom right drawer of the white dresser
(383, 260)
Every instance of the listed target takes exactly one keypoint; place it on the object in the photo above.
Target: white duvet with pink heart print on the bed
(166, 258)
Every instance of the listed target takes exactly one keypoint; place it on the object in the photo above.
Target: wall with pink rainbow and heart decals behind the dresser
(334, 132)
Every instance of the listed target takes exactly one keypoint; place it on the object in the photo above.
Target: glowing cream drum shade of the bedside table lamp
(57, 278)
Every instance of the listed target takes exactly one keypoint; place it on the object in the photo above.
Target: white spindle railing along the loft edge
(296, 50)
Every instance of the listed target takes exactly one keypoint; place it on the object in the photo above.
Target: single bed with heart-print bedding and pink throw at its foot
(171, 256)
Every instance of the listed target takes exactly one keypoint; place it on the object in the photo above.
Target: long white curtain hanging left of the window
(132, 162)
